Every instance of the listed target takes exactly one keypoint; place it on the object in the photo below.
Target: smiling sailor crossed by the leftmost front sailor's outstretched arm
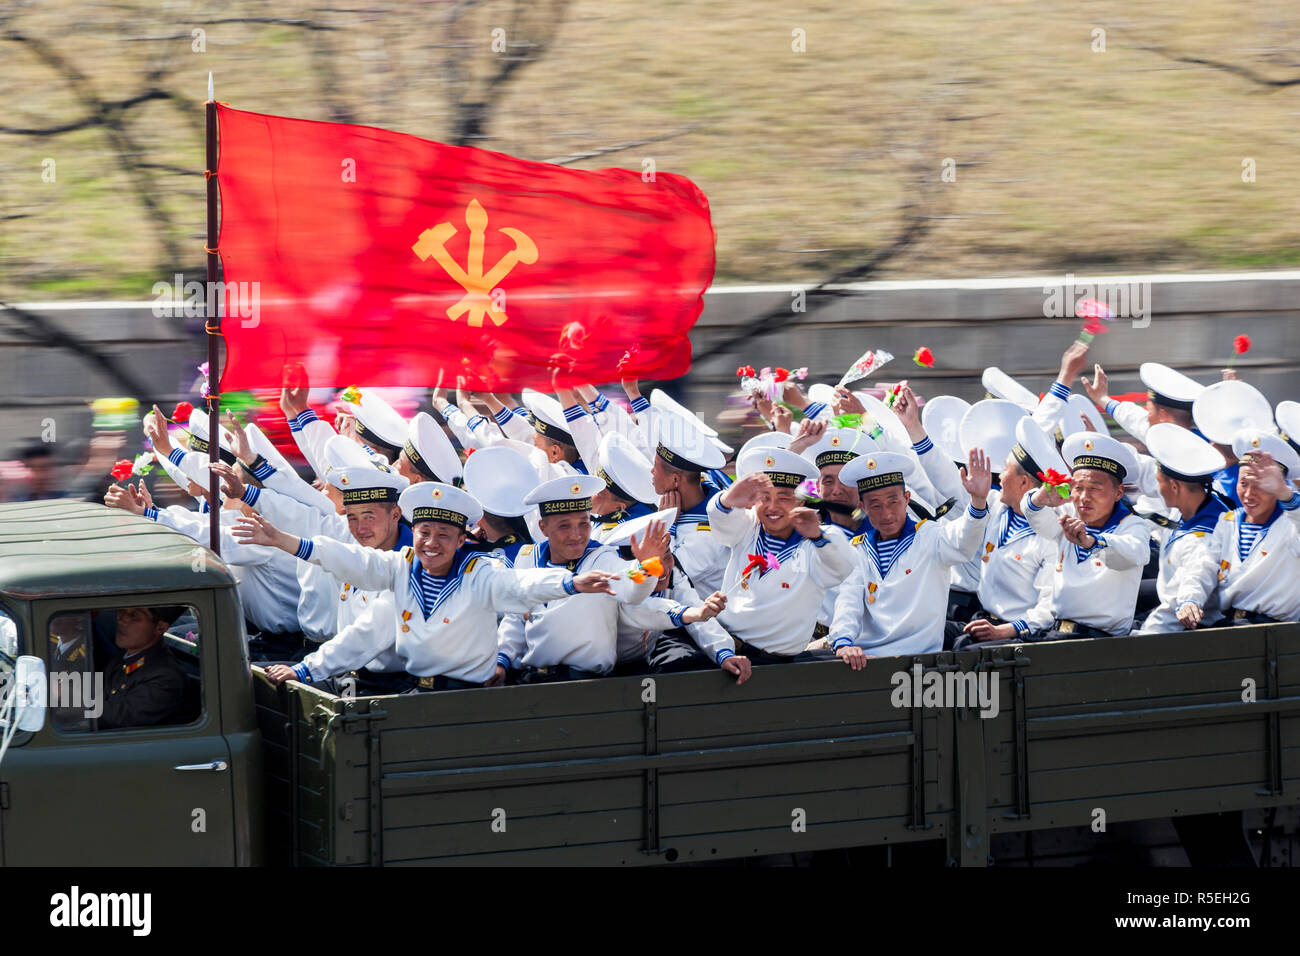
(574, 638)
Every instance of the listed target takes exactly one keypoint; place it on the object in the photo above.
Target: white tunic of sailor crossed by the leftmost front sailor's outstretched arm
(580, 631)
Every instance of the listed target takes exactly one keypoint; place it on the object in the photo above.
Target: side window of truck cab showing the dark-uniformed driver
(123, 668)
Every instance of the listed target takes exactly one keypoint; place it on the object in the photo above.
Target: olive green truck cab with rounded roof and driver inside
(118, 769)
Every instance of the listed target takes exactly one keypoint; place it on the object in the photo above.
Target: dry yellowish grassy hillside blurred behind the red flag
(1067, 159)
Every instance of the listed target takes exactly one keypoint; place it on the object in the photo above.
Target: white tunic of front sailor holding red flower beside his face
(1097, 587)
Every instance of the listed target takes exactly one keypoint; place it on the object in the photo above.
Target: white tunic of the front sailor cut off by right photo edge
(1258, 565)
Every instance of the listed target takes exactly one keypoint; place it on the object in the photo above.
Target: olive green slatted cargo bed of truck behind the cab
(803, 758)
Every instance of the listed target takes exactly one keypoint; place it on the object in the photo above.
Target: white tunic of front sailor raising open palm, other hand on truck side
(896, 600)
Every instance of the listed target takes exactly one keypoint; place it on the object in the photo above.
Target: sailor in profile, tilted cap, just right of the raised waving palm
(1015, 590)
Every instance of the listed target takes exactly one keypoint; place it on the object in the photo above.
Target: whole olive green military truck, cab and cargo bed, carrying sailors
(960, 750)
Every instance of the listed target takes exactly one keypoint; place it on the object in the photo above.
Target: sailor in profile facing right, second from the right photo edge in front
(1189, 560)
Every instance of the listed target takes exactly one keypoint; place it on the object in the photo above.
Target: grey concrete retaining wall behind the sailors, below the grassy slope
(968, 325)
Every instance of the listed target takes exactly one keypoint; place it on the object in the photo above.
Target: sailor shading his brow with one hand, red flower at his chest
(781, 560)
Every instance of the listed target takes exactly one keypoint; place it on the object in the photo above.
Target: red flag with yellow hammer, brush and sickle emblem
(387, 259)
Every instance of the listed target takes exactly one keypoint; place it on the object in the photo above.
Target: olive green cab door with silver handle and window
(132, 767)
